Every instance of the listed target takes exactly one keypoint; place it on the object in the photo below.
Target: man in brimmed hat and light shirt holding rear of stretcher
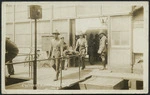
(82, 44)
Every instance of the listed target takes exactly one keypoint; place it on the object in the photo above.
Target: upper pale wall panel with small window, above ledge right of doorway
(120, 30)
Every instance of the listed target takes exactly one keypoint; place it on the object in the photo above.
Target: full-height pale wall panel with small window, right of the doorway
(120, 43)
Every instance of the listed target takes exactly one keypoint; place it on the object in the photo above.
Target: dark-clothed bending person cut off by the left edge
(11, 52)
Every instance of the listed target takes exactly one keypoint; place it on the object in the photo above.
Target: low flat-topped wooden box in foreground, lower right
(102, 83)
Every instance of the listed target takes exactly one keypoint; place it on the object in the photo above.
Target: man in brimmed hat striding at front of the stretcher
(56, 51)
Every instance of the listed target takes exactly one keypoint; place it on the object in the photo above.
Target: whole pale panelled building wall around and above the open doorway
(58, 16)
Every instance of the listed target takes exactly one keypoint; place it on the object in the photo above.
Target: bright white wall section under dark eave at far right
(138, 31)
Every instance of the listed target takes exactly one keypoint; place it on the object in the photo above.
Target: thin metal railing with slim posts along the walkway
(31, 61)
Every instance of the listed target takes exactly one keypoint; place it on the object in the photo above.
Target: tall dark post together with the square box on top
(35, 13)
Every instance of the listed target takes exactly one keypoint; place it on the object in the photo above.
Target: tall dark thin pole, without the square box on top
(35, 59)
